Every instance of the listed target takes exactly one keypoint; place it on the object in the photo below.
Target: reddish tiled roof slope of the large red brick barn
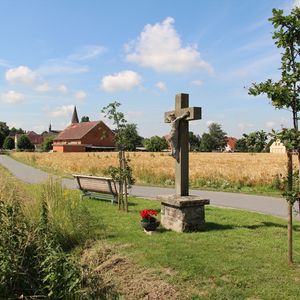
(77, 131)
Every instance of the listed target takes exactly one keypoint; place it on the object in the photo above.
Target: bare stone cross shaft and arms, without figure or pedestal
(182, 164)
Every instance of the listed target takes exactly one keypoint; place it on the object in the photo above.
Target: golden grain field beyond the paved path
(158, 168)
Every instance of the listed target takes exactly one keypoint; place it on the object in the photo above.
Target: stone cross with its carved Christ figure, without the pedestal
(179, 140)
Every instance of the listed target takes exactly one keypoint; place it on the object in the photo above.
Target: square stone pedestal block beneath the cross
(183, 213)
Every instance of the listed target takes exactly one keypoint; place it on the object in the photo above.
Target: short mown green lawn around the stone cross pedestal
(242, 255)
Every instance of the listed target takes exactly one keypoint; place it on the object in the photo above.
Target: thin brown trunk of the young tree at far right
(290, 207)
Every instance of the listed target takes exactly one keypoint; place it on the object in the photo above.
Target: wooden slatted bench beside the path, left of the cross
(97, 187)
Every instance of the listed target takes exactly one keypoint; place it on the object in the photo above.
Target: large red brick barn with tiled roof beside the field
(85, 136)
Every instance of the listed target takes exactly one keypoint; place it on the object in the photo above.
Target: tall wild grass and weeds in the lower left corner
(36, 231)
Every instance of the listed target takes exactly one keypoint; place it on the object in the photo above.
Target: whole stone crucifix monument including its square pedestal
(181, 212)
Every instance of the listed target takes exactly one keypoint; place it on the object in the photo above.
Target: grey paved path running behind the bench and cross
(263, 204)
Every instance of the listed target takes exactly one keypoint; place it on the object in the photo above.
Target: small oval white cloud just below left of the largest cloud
(125, 80)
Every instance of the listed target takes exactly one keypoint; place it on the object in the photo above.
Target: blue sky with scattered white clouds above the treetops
(57, 54)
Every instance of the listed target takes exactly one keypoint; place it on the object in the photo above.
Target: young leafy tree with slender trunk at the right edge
(284, 94)
